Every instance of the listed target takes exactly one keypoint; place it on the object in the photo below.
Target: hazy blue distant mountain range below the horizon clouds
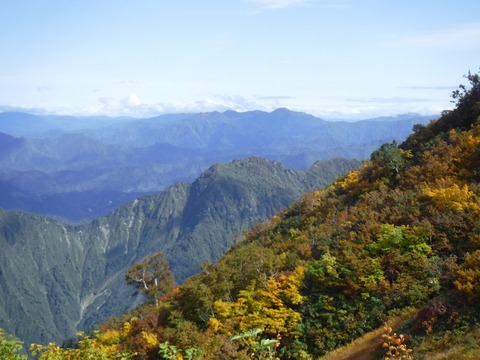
(79, 168)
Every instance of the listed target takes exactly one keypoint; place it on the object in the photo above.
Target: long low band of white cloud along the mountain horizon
(351, 108)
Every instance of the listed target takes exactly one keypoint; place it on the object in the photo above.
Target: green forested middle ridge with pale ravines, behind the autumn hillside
(57, 278)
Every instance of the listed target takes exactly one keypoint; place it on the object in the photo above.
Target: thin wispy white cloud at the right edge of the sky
(460, 36)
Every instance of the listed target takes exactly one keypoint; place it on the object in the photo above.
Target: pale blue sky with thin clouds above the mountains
(329, 58)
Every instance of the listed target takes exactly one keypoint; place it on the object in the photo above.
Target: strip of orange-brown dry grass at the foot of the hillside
(366, 346)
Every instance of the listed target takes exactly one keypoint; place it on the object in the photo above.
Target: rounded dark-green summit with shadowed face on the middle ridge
(247, 191)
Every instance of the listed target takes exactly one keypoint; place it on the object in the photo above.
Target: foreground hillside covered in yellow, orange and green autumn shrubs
(402, 232)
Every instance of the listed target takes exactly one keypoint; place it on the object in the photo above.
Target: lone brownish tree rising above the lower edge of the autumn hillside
(152, 276)
